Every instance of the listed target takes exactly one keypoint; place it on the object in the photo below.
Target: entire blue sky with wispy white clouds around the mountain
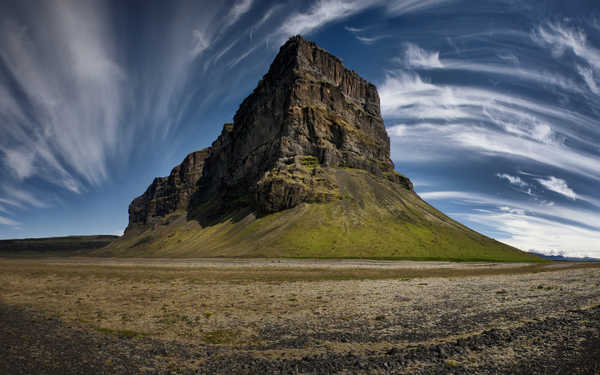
(492, 107)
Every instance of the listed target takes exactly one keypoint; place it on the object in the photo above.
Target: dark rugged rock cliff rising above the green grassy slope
(307, 115)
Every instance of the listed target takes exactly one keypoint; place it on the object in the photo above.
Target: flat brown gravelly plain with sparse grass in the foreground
(88, 316)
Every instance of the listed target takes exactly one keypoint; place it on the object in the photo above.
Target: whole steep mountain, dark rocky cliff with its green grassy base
(304, 170)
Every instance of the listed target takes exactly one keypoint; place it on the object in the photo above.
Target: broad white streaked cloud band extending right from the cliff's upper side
(489, 121)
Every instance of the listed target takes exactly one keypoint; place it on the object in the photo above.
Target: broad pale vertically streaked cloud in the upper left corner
(68, 71)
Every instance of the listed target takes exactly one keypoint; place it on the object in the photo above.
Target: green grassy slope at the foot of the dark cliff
(373, 218)
